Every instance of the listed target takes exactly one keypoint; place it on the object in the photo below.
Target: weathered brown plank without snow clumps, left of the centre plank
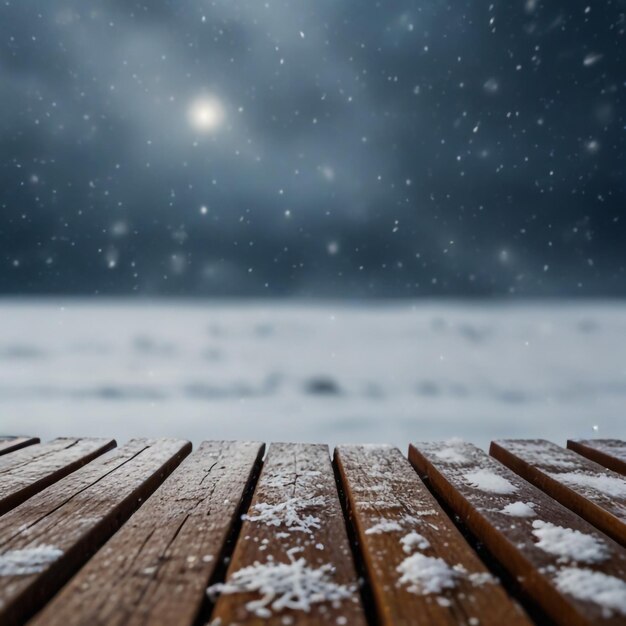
(155, 570)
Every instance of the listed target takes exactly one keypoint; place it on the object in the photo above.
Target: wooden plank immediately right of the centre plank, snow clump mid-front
(405, 536)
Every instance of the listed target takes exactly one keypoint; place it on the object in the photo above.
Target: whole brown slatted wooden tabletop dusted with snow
(152, 533)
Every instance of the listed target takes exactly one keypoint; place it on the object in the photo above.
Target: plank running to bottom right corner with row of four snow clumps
(574, 572)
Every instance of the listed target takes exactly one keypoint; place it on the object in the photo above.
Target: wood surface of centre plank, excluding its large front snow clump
(301, 477)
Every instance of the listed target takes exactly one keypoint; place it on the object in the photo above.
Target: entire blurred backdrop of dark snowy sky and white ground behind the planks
(313, 221)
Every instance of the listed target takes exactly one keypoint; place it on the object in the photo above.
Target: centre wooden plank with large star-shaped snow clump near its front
(292, 563)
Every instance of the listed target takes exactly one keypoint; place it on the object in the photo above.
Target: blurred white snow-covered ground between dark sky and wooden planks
(300, 372)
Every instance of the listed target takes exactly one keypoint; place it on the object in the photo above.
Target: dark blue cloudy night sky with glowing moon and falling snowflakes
(313, 148)
